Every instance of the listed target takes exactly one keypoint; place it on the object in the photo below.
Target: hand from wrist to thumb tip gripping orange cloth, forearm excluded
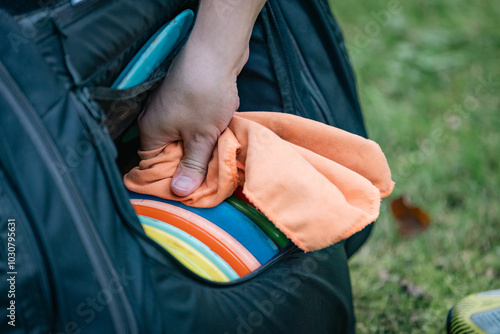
(194, 104)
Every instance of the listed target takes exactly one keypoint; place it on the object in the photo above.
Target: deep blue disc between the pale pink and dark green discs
(233, 222)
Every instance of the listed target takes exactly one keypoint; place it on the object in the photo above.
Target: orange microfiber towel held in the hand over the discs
(318, 184)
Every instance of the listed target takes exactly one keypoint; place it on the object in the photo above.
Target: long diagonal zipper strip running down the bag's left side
(122, 314)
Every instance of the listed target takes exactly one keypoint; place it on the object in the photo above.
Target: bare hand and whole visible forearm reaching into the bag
(199, 96)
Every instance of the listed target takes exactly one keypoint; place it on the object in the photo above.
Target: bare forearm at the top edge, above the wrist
(223, 29)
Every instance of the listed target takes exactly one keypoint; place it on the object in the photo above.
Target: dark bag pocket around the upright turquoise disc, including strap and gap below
(89, 44)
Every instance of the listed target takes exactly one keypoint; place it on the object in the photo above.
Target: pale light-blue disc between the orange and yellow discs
(193, 242)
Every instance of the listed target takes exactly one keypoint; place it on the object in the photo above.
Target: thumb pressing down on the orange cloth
(193, 167)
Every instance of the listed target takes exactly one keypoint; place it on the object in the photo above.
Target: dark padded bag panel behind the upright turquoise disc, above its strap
(91, 42)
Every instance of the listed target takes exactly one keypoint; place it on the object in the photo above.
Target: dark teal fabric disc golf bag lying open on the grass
(74, 256)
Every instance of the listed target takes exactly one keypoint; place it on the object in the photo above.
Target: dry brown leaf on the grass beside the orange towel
(411, 220)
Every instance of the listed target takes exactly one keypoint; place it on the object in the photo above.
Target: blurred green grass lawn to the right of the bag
(421, 77)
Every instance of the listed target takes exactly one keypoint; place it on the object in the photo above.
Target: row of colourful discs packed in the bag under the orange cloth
(220, 244)
